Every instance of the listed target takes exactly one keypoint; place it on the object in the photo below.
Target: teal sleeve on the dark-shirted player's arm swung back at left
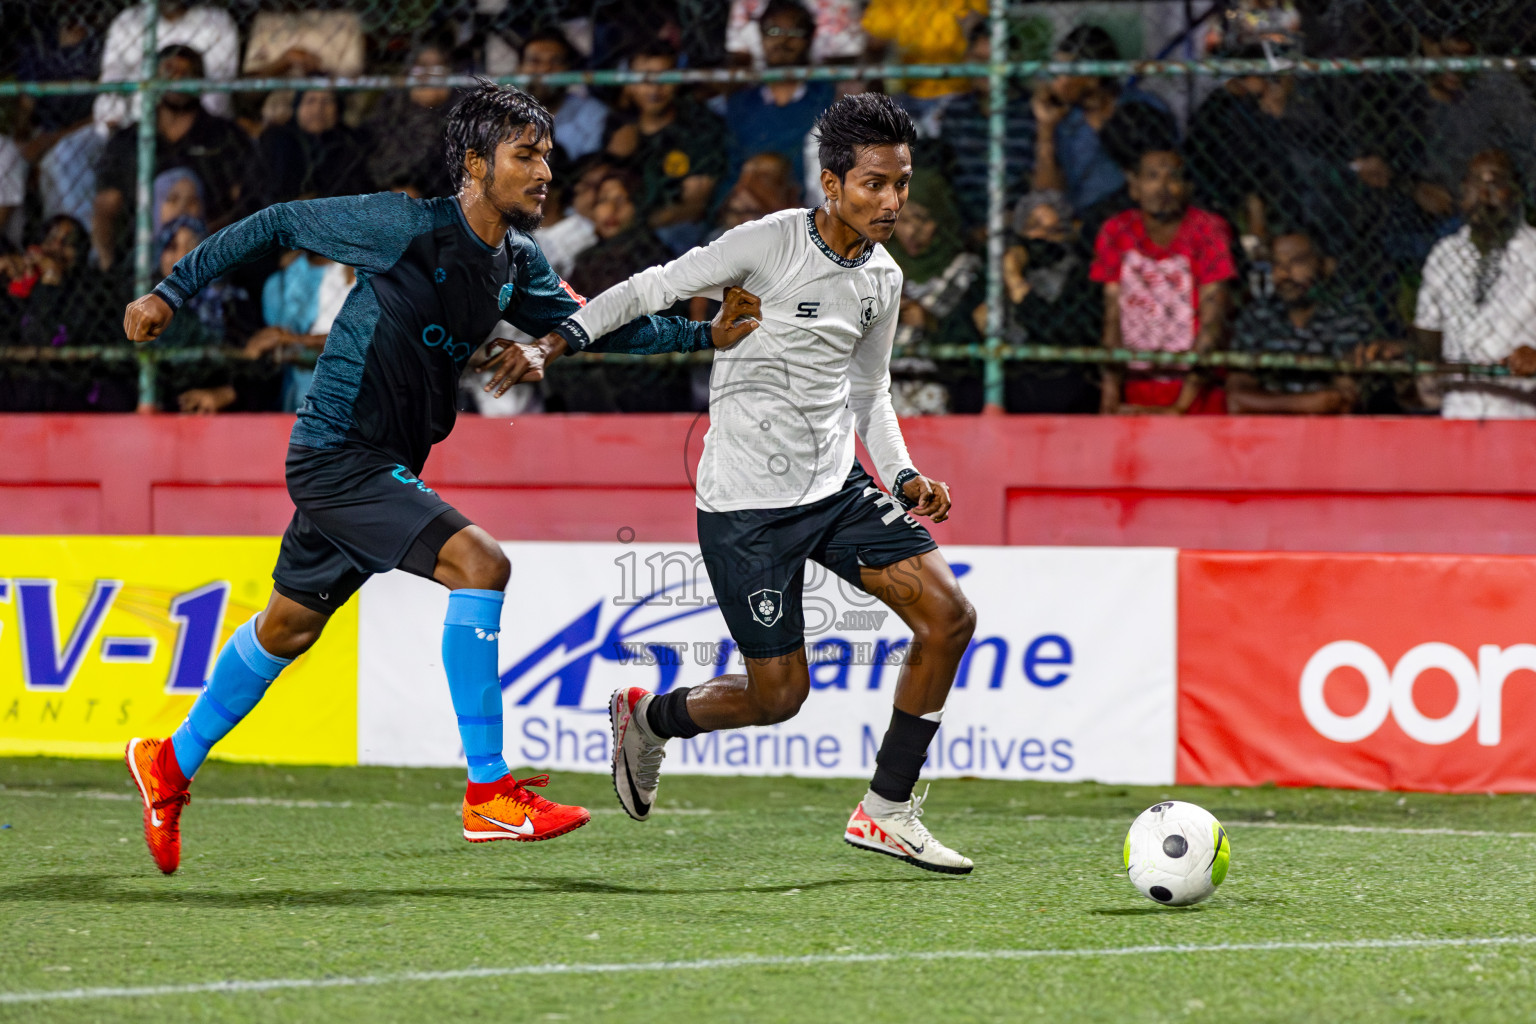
(366, 233)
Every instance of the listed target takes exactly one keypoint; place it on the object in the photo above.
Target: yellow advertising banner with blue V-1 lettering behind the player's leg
(104, 639)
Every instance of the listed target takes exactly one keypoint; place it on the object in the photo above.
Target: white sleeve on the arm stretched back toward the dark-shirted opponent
(698, 273)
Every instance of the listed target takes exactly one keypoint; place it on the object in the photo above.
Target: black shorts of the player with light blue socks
(356, 514)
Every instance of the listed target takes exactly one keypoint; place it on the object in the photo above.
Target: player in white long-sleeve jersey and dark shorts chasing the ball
(780, 483)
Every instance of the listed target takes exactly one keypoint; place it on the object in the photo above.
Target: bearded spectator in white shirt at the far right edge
(1478, 302)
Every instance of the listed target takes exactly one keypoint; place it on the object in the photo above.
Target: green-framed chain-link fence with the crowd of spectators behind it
(1251, 205)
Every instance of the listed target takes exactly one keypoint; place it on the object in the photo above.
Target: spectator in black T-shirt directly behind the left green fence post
(187, 136)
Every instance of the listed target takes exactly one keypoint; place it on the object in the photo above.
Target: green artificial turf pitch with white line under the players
(277, 888)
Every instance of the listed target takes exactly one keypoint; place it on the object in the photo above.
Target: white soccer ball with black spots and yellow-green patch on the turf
(1177, 854)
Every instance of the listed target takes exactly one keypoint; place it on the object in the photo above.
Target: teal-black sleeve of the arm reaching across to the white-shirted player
(546, 303)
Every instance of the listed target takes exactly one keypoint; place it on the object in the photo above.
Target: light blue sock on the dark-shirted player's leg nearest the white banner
(469, 656)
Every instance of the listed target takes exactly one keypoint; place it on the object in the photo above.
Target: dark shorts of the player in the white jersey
(756, 557)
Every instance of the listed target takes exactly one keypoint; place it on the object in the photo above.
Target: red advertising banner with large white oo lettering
(1357, 672)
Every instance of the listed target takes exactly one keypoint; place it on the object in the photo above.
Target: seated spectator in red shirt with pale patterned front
(1165, 268)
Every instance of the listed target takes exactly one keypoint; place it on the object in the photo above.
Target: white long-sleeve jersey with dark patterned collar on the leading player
(787, 400)
